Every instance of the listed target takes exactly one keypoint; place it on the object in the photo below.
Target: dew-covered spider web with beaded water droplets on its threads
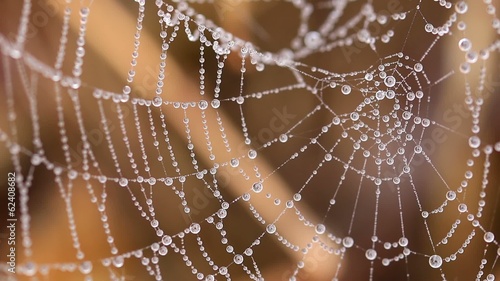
(384, 131)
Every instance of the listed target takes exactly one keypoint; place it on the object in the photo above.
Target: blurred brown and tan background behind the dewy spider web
(271, 26)
